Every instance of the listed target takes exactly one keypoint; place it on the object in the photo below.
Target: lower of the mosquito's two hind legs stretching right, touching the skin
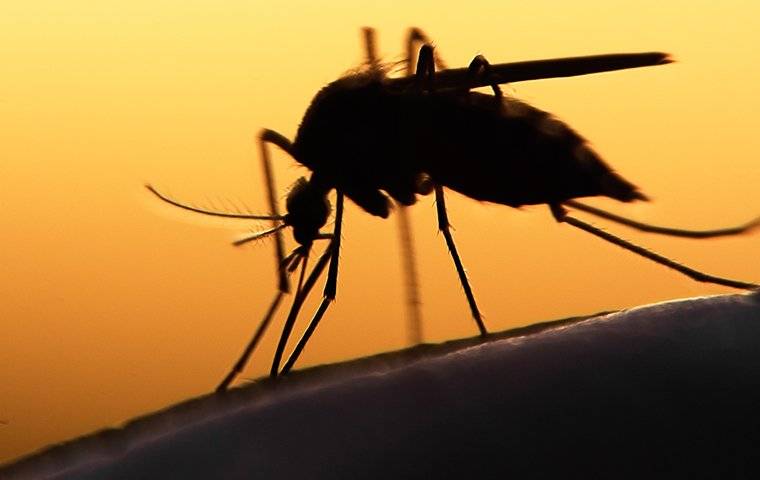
(561, 216)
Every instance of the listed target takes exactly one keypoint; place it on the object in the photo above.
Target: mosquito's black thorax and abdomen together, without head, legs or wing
(364, 138)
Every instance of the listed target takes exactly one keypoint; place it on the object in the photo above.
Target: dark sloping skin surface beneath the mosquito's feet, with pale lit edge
(667, 389)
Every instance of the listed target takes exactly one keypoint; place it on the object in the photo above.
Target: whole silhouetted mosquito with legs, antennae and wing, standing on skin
(369, 137)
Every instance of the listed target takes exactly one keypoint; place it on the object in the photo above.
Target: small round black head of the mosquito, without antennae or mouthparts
(308, 209)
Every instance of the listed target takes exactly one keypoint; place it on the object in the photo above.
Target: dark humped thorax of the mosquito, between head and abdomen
(355, 136)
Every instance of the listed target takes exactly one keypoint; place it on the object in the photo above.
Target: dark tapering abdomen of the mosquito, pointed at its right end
(510, 153)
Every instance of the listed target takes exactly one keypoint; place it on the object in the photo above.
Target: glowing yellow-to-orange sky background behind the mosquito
(113, 304)
